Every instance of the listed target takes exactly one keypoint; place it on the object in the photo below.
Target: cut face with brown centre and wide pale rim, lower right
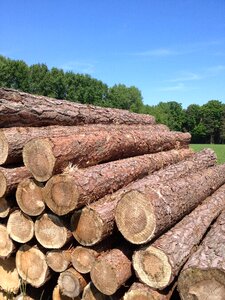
(152, 267)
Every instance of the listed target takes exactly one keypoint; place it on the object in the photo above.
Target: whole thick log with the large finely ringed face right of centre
(159, 207)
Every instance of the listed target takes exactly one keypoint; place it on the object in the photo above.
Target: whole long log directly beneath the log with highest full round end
(77, 187)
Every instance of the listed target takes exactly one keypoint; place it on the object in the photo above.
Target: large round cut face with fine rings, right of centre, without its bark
(135, 218)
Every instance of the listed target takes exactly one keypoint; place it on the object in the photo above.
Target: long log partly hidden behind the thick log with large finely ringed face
(100, 215)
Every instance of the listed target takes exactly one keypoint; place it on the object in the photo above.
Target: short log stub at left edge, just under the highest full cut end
(9, 179)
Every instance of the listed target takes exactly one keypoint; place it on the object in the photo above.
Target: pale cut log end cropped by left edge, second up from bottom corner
(6, 244)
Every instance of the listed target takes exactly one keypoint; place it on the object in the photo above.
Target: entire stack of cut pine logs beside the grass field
(100, 203)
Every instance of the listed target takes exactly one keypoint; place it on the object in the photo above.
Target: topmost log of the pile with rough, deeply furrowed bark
(22, 109)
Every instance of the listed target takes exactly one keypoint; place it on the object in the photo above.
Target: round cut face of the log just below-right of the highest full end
(61, 194)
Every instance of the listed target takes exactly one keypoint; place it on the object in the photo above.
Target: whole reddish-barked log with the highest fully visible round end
(46, 157)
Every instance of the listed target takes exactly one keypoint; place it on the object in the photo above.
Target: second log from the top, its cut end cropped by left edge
(13, 139)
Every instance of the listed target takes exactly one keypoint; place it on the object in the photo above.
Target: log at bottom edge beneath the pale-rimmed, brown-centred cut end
(140, 291)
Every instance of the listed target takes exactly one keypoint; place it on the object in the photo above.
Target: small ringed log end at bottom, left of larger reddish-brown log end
(71, 283)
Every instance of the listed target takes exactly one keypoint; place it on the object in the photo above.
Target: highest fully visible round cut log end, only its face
(39, 159)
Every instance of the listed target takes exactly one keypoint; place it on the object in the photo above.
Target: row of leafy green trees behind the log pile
(206, 123)
